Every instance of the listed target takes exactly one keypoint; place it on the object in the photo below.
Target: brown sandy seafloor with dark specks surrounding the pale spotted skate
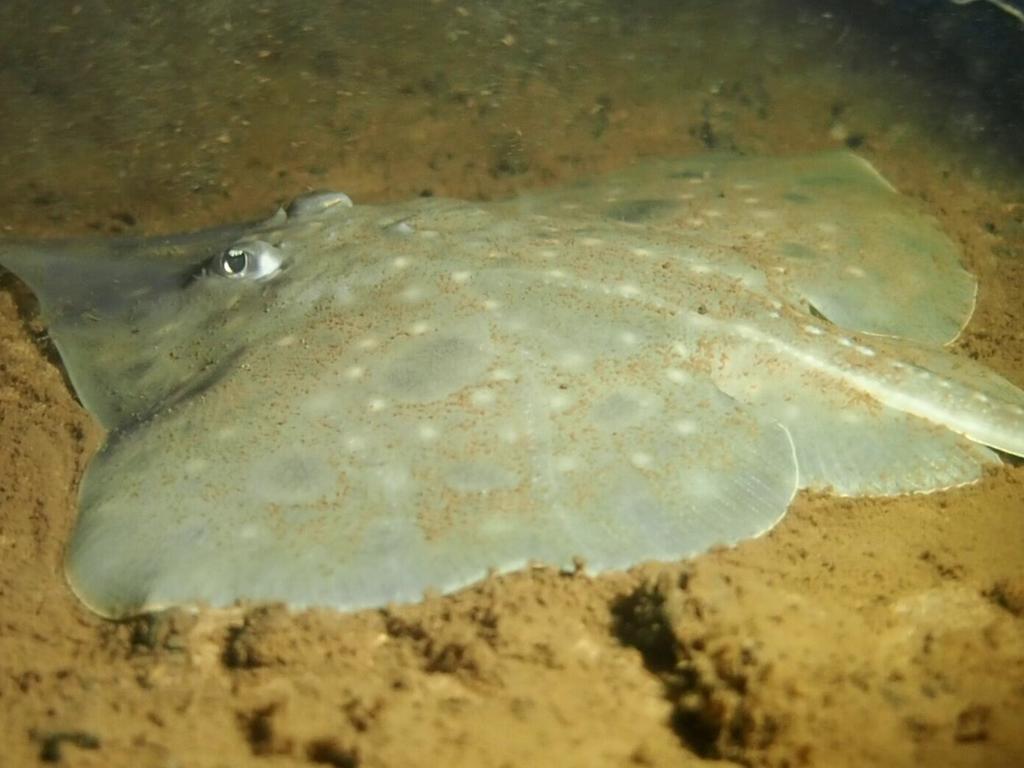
(884, 632)
